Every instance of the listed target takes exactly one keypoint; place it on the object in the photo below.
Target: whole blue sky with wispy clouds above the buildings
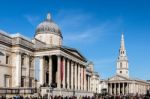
(92, 26)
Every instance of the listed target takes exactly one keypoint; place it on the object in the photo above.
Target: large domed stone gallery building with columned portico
(43, 63)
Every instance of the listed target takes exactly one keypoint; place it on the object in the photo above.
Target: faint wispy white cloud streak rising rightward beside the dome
(90, 34)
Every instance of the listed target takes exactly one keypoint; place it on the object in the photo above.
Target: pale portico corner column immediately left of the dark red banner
(58, 71)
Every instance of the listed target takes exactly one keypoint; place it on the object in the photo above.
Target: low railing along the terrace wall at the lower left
(17, 90)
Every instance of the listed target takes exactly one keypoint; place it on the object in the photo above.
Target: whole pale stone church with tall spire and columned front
(122, 83)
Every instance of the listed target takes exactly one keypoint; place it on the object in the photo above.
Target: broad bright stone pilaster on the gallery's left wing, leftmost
(18, 69)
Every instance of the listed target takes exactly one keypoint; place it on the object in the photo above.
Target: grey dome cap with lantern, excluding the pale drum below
(48, 26)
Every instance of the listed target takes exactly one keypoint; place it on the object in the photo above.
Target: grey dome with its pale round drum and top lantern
(49, 32)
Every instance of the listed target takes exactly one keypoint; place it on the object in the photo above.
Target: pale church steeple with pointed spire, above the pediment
(122, 61)
